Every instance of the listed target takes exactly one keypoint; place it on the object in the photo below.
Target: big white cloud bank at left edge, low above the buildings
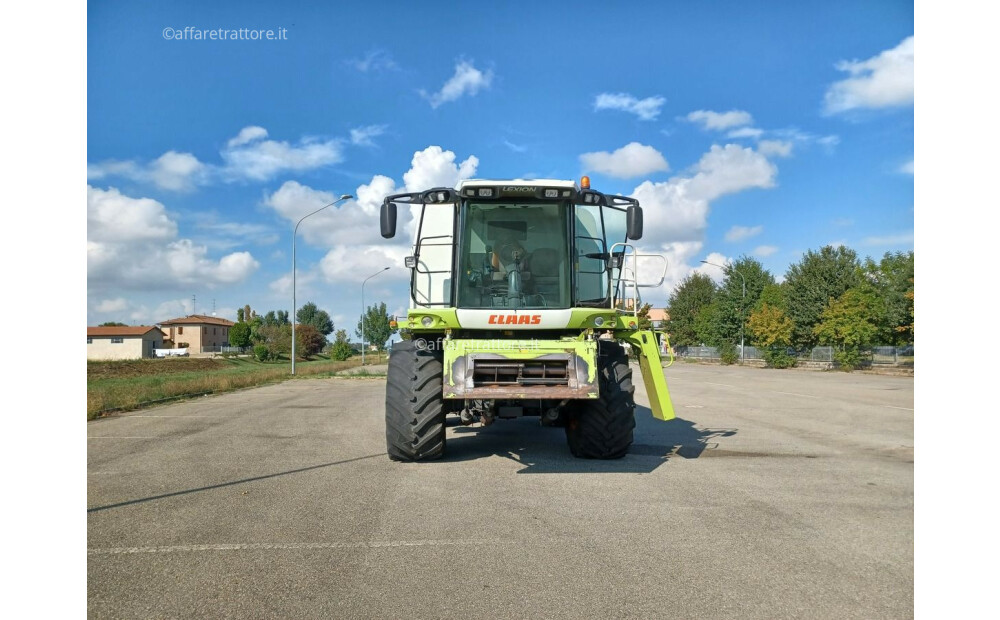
(132, 244)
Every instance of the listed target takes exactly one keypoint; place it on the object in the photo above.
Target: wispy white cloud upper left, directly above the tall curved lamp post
(259, 159)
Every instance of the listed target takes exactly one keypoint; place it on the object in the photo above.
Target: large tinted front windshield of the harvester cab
(515, 255)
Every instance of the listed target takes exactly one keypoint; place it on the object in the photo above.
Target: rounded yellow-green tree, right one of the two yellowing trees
(849, 323)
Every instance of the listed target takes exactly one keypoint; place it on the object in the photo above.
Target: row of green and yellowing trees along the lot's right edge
(830, 297)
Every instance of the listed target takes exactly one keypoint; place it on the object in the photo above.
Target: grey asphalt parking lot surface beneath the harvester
(775, 494)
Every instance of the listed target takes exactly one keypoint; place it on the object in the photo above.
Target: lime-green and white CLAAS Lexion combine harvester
(521, 293)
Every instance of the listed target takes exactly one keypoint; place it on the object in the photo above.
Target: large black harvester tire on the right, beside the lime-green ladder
(601, 428)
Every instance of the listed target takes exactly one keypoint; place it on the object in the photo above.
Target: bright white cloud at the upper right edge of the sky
(885, 80)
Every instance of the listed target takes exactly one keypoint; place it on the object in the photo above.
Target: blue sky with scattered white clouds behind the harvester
(762, 131)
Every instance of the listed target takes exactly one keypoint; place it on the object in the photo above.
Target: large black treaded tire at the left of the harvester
(414, 405)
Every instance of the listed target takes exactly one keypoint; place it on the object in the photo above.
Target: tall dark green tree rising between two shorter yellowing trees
(811, 283)
